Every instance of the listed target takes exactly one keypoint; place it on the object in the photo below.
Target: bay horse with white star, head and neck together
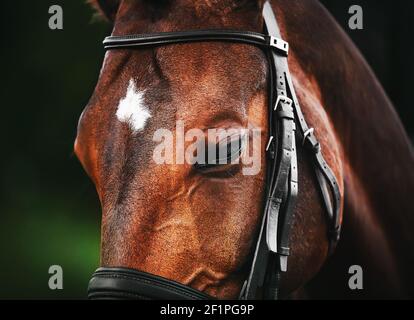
(199, 228)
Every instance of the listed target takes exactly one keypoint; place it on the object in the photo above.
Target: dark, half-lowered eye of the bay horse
(226, 151)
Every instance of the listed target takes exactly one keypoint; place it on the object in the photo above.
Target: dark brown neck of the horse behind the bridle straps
(376, 151)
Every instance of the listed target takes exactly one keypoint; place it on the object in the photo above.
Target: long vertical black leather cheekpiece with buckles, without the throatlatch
(272, 249)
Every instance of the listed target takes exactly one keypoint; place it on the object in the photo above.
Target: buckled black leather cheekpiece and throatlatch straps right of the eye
(272, 249)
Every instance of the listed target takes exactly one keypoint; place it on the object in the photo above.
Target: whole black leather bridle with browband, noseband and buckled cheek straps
(286, 124)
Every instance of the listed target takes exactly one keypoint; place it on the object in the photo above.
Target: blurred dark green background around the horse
(49, 210)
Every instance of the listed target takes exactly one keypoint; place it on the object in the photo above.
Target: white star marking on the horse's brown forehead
(132, 109)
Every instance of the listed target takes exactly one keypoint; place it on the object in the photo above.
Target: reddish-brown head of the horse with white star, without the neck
(196, 225)
